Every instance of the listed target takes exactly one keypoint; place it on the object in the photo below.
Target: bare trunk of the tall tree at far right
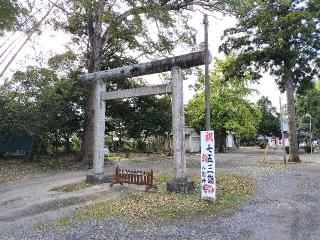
(292, 124)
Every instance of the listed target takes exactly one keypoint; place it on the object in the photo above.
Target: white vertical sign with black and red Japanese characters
(208, 176)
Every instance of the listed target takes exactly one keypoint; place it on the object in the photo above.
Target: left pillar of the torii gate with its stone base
(98, 173)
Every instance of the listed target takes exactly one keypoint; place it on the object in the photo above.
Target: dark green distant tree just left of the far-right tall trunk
(270, 122)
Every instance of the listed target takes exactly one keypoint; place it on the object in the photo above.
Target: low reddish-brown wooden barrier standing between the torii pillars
(134, 177)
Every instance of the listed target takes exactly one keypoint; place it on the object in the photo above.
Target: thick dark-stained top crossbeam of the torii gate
(158, 66)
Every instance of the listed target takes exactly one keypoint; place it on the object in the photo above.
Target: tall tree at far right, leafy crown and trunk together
(282, 37)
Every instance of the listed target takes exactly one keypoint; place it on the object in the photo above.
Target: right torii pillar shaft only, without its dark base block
(178, 124)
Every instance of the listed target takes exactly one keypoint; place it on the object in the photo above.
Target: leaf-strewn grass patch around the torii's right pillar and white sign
(160, 206)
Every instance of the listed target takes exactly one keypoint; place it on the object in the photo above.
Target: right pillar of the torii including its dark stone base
(180, 183)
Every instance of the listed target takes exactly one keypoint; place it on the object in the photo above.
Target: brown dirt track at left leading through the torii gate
(32, 200)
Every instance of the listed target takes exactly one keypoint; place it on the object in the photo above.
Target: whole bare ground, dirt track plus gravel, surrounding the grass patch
(286, 205)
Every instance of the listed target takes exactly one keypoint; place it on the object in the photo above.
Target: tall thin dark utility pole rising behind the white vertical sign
(207, 82)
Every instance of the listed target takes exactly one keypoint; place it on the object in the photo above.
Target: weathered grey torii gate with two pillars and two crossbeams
(174, 64)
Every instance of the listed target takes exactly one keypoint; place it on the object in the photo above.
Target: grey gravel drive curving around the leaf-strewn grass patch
(286, 206)
